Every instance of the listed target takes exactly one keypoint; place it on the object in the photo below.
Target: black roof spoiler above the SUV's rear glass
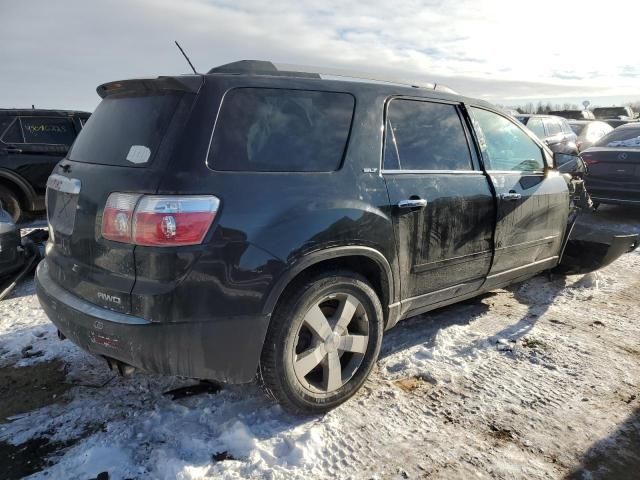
(150, 86)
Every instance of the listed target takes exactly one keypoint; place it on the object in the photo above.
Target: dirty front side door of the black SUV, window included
(533, 201)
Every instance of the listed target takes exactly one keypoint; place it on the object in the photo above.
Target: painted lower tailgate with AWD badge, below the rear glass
(80, 260)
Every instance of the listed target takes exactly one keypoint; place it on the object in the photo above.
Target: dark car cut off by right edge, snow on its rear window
(614, 167)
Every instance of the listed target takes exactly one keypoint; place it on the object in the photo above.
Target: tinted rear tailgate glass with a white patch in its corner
(125, 131)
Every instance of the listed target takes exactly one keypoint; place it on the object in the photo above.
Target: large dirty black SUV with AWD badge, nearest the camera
(254, 221)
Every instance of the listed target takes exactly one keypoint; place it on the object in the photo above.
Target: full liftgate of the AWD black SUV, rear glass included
(123, 148)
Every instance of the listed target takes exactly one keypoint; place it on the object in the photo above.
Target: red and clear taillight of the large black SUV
(161, 221)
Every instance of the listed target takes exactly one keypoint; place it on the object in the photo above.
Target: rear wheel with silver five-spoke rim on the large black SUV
(298, 339)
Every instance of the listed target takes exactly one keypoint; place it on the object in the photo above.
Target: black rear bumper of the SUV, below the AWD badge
(223, 349)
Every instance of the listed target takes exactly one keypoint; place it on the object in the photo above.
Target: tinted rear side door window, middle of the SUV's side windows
(425, 136)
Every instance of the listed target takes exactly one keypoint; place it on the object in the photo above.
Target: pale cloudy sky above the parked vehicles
(54, 54)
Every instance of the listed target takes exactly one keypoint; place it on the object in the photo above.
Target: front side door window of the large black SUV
(504, 145)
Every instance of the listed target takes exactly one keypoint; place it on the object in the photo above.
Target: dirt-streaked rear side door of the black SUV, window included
(441, 202)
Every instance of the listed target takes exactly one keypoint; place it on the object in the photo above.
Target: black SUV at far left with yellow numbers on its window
(32, 142)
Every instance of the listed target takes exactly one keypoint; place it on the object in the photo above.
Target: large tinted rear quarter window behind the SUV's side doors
(262, 129)
